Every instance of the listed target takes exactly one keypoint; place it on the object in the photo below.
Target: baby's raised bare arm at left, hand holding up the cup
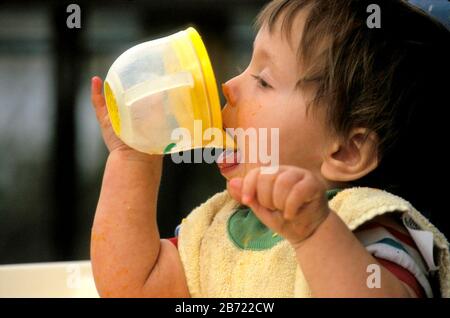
(128, 257)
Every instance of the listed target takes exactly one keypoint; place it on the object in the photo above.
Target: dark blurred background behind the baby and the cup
(51, 153)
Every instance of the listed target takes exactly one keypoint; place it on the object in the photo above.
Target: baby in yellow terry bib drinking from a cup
(344, 97)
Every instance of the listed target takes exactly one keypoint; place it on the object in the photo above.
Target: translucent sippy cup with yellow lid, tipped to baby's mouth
(158, 87)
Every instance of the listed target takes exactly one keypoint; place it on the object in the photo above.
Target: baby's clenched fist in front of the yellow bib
(291, 202)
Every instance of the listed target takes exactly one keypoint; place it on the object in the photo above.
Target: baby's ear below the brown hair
(352, 158)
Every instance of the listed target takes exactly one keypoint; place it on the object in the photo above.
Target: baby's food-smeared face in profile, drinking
(265, 96)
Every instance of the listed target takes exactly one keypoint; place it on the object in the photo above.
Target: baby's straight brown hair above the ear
(355, 73)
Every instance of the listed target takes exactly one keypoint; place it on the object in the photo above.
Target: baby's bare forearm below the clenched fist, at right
(344, 265)
